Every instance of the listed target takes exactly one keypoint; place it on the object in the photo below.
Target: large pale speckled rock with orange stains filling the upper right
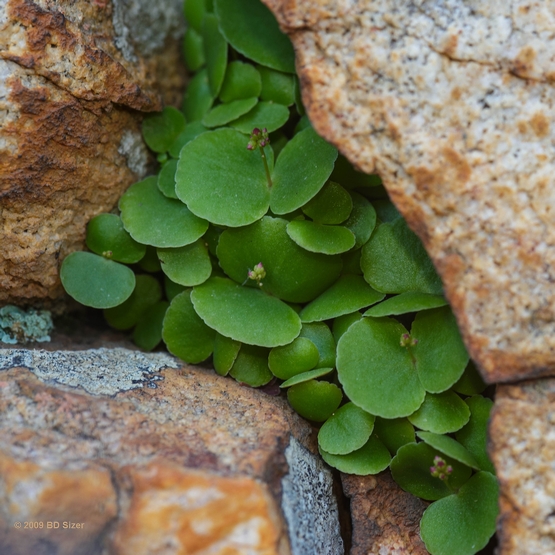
(451, 102)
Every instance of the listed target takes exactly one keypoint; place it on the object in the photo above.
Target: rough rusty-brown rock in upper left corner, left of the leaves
(75, 77)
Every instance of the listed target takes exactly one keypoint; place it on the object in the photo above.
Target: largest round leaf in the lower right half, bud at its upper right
(378, 374)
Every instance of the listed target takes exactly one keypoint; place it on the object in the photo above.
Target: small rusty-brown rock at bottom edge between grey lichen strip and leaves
(386, 519)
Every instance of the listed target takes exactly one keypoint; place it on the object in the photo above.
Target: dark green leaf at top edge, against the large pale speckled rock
(251, 28)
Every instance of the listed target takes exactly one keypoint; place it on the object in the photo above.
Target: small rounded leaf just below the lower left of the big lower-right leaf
(347, 430)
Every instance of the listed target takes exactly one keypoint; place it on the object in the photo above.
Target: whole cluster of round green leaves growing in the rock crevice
(256, 245)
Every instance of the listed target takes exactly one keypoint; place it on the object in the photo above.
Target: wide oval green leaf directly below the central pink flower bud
(244, 314)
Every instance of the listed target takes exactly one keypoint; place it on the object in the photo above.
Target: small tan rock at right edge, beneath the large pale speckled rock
(522, 448)
